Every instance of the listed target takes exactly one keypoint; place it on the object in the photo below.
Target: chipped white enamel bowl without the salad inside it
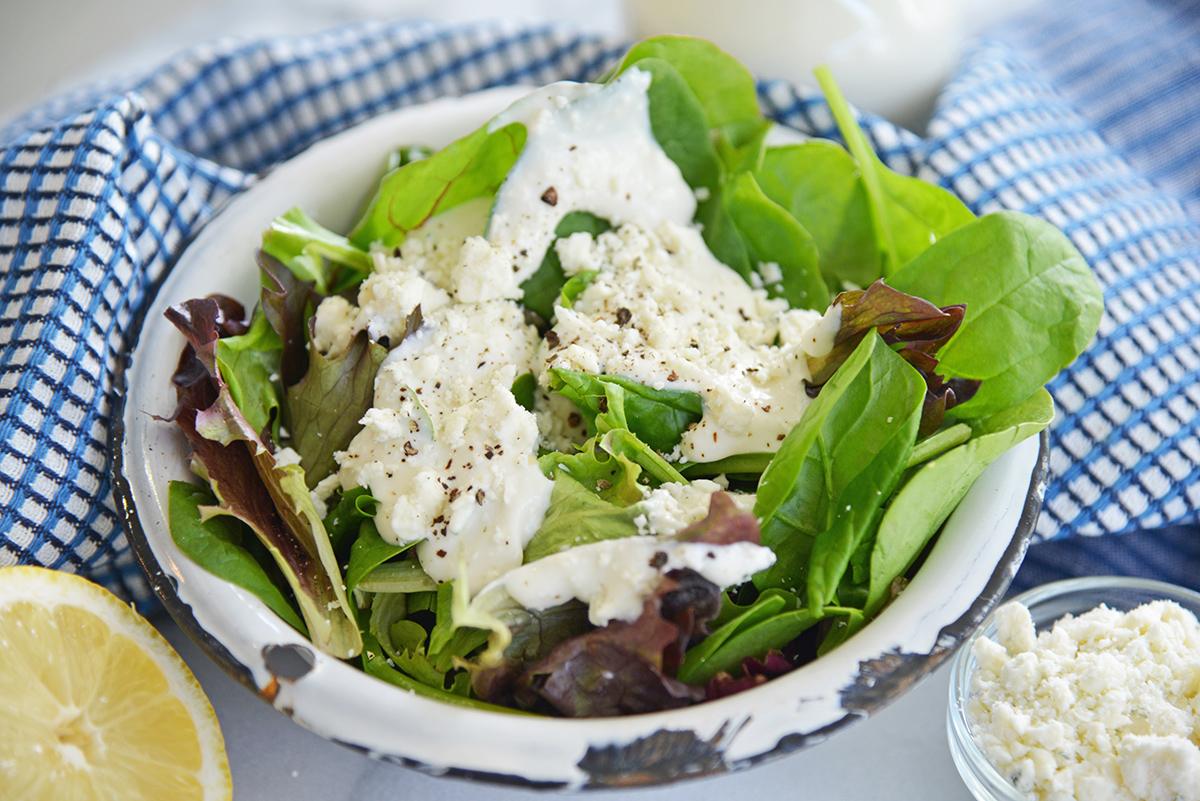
(964, 576)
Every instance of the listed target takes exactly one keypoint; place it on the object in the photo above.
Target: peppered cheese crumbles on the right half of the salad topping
(665, 312)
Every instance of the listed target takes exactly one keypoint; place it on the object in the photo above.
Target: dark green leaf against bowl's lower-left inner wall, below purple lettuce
(217, 545)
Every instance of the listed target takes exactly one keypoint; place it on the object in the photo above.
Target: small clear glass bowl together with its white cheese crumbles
(1083, 689)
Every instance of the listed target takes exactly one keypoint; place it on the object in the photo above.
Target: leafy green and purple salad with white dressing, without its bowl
(614, 405)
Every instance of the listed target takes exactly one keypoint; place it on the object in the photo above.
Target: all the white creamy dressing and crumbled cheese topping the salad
(451, 454)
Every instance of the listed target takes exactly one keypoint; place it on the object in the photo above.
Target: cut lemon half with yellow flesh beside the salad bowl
(94, 702)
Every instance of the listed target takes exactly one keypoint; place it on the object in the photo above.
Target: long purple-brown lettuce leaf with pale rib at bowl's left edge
(273, 499)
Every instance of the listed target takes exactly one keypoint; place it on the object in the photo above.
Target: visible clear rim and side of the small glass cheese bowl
(979, 774)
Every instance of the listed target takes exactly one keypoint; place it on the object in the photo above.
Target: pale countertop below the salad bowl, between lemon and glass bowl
(901, 754)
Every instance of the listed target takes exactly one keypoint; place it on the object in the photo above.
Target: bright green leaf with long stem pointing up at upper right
(908, 213)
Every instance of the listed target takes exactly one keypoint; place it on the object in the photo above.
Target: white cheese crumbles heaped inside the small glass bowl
(1105, 706)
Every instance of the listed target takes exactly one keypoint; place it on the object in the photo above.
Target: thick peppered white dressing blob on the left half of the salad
(448, 451)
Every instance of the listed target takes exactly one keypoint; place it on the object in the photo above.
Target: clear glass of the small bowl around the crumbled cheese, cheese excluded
(1047, 605)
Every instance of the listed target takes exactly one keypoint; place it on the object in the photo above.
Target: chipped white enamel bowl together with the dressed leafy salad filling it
(595, 435)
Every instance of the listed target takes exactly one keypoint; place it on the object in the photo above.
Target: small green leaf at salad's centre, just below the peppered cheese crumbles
(658, 418)
